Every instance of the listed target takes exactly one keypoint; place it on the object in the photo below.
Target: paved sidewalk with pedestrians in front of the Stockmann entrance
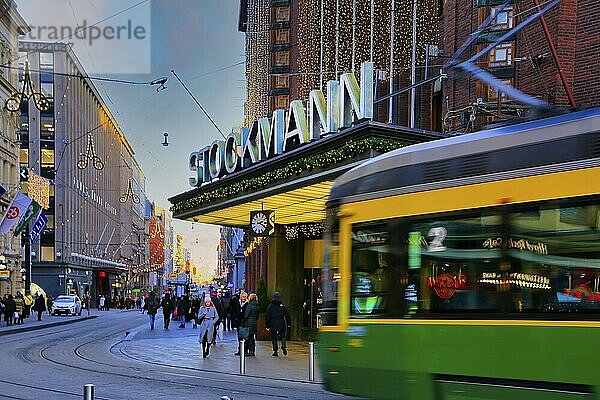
(180, 347)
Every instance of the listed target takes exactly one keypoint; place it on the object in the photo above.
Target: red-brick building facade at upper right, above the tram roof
(525, 62)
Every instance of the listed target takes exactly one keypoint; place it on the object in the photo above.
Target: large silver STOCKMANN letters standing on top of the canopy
(346, 101)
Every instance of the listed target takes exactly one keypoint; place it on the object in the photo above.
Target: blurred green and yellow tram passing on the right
(468, 268)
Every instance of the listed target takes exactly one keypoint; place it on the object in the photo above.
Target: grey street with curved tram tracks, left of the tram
(54, 363)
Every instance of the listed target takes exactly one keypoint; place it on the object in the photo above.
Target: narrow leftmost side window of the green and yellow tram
(371, 270)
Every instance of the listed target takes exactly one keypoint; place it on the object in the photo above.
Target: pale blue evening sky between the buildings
(193, 37)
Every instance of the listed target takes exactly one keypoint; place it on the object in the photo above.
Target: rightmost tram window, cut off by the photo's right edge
(556, 258)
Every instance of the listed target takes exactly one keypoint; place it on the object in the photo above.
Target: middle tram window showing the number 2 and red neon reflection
(454, 265)
